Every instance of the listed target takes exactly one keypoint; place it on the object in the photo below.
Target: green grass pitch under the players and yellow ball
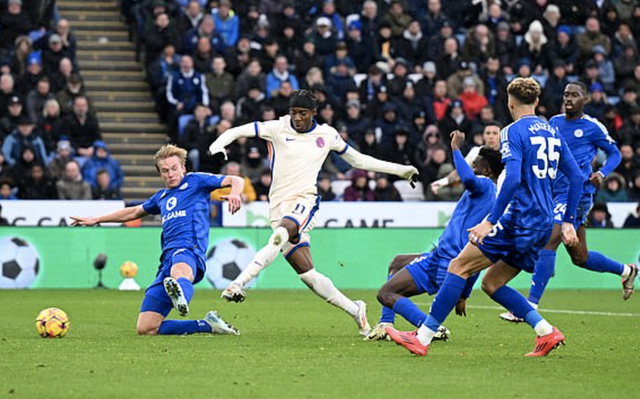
(294, 345)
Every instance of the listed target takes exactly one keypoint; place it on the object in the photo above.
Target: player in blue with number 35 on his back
(510, 239)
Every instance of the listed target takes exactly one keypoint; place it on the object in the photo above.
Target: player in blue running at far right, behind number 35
(584, 136)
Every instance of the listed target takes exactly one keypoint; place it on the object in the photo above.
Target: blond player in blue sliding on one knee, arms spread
(184, 206)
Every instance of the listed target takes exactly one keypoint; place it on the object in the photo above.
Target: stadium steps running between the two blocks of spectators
(116, 85)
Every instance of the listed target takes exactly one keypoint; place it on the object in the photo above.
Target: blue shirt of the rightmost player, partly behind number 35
(584, 136)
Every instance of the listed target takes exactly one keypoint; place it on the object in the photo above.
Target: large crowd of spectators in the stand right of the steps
(393, 77)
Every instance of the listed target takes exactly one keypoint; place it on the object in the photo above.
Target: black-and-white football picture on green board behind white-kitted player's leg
(226, 260)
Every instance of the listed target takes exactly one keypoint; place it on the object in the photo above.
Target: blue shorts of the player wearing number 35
(516, 247)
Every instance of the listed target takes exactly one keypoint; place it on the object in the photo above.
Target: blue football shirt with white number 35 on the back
(536, 145)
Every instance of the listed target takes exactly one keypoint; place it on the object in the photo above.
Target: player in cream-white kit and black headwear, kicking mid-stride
(298, 147)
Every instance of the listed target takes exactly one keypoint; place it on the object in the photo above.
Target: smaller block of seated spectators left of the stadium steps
(50, 138)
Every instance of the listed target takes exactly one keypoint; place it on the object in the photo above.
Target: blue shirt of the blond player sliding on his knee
(185, 212)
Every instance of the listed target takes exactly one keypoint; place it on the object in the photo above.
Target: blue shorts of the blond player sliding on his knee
(155, 297)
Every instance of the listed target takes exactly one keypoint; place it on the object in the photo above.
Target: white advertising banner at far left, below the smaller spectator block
(54, 212)
